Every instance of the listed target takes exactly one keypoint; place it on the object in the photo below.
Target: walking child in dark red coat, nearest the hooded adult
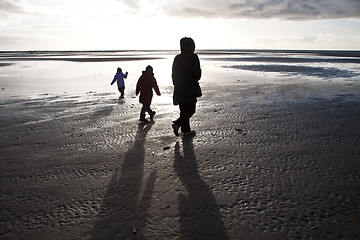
(145, 86)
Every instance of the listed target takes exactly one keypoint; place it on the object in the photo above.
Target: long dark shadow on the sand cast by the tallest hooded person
(200, 216)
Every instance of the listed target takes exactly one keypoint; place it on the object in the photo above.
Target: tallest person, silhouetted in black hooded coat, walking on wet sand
(186, 73)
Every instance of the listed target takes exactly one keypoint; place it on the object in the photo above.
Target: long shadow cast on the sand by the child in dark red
(124, 209)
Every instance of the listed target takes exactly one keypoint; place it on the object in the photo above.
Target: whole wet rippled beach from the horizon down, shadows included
(275, 156)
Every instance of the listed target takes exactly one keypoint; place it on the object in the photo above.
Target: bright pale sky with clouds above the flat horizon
(160, 24)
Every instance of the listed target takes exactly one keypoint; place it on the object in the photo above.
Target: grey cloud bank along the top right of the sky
(265, 9)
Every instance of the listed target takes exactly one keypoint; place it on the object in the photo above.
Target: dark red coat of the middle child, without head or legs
(145, 86)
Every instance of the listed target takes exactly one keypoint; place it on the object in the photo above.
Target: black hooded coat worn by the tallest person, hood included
(186, 72)
